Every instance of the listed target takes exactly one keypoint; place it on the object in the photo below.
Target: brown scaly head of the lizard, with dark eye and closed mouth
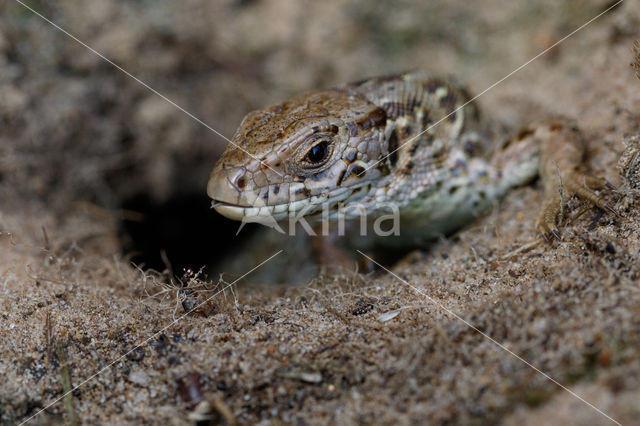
(309, 153)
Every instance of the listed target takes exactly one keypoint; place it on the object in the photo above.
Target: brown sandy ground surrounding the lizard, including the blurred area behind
(81, 144)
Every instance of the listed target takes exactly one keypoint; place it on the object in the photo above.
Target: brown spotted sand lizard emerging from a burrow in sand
(356, 145)
